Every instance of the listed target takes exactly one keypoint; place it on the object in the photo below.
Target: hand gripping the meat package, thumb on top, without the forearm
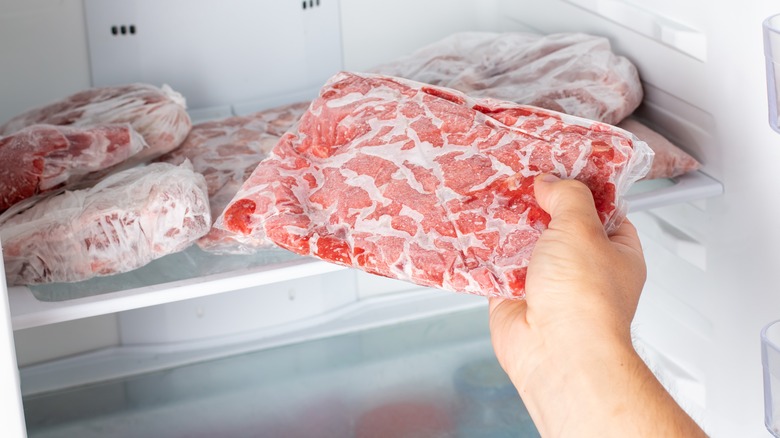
(581, 286)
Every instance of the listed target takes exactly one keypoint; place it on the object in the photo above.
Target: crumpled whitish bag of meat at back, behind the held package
(573, 73)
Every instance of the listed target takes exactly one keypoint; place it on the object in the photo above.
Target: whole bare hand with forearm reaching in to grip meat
(567, 347)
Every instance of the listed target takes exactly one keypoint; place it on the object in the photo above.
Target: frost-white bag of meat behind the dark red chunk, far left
(158, 114)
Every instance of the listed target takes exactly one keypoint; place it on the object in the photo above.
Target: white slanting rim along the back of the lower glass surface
(128, 360)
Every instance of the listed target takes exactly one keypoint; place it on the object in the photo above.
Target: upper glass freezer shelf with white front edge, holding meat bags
(193, 273)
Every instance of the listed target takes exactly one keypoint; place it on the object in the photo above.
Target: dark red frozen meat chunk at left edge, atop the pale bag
(41, 158)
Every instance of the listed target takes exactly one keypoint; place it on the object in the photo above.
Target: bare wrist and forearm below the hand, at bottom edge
(599, 394)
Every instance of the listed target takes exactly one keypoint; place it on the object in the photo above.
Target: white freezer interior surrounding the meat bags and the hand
(260, 342)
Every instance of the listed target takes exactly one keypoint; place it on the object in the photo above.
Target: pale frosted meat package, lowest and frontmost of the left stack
(125, 221)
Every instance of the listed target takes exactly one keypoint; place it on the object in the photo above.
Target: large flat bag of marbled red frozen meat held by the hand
(426, 184)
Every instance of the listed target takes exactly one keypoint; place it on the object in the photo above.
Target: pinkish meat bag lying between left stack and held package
(226, 152)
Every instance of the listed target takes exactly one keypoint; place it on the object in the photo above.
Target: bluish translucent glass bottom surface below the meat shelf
(432, 377)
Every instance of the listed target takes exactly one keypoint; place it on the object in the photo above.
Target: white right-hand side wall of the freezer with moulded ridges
(714, 266)
